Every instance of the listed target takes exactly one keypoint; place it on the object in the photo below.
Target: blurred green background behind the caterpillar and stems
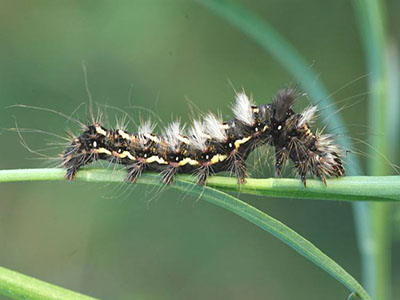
(115, 242)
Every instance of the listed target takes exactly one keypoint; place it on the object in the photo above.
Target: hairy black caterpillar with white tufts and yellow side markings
(211, 146)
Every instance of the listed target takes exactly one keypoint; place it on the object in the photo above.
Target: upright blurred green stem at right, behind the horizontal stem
(376, 242)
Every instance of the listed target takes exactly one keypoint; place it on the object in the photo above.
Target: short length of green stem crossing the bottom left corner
(19, 286)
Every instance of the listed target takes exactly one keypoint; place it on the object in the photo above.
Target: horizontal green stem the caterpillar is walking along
(350, 188)
